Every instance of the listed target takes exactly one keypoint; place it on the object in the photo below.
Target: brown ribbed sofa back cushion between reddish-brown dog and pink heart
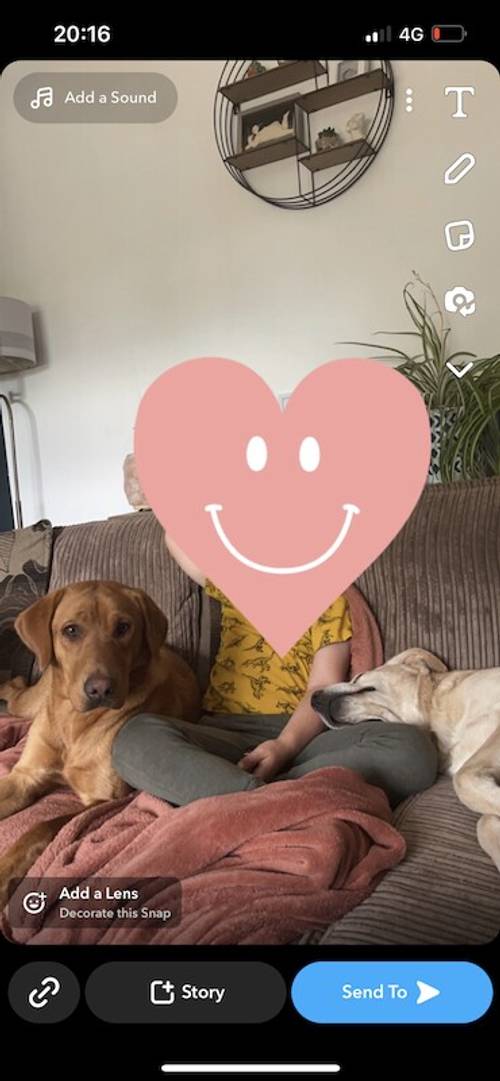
(131, 550)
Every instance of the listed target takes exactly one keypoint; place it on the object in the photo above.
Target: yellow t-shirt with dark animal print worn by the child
(249, 677)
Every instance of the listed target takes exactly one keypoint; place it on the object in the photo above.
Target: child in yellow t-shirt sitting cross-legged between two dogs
(259, 725)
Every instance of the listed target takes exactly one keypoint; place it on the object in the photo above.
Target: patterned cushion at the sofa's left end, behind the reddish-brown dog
(25, 558)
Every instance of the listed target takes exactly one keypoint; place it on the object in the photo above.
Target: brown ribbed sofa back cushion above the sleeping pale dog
(439, 582)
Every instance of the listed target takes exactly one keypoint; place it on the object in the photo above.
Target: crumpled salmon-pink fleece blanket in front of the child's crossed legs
(259, 868)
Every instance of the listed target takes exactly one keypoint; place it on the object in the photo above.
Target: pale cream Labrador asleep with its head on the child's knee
(462, 711)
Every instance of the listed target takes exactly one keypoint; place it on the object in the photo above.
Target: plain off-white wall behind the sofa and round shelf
(139, 250)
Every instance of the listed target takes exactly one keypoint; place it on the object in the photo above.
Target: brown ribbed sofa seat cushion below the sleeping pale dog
(445, 892)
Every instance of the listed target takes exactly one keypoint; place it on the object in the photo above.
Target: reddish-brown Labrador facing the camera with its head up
(101, 649)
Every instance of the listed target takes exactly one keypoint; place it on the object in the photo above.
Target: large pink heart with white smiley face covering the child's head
(282, 511)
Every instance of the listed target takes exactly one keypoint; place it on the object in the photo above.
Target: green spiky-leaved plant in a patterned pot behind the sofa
(465, 413)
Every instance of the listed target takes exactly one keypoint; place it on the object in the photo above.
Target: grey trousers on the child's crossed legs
(181, 763)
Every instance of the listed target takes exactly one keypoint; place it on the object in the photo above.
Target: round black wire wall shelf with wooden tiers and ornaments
(265, 126)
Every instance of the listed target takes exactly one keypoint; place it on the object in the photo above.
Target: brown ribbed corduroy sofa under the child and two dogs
(438, 586)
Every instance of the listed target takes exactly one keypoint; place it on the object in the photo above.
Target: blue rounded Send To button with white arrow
(393, 993)
